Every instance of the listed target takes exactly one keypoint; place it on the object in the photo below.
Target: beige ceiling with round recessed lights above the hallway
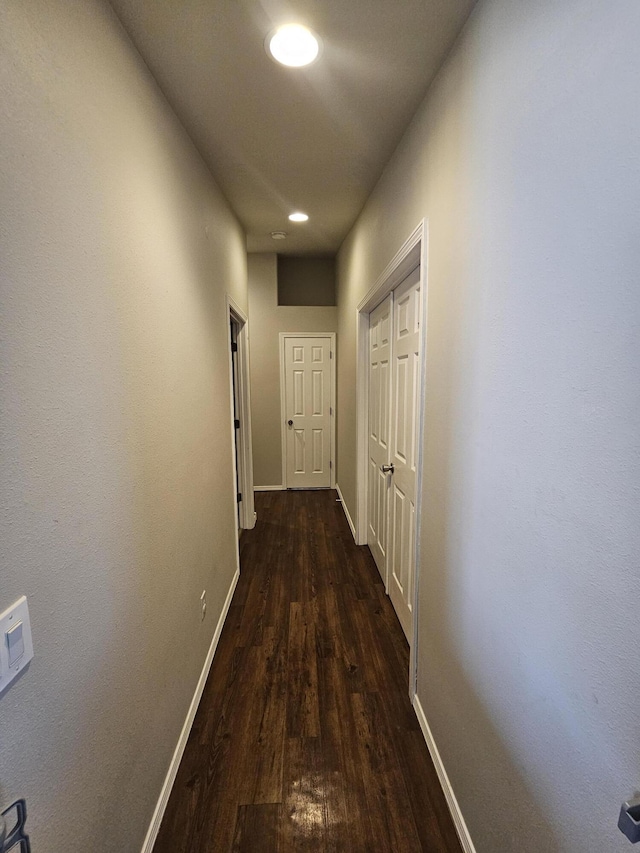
(281, 139)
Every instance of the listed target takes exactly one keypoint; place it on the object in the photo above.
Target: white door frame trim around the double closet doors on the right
(412, 253)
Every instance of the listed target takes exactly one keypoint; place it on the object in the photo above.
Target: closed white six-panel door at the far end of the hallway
(307, 408)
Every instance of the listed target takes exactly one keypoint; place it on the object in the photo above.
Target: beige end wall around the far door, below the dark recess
(266, 321)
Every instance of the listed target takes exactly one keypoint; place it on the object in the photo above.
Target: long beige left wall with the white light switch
(117, 488)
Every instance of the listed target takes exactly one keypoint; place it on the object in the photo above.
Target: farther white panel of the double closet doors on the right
(379, 444)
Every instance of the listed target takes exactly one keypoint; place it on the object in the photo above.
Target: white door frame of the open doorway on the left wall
(246, 514)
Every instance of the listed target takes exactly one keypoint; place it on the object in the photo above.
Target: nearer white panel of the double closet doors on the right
(404, 450)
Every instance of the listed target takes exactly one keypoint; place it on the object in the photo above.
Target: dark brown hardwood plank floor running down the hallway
(305, 739)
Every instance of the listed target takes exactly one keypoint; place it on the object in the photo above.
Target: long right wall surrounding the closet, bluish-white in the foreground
(523, 159)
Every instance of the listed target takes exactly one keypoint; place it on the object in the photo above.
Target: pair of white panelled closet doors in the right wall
(394, 394)
